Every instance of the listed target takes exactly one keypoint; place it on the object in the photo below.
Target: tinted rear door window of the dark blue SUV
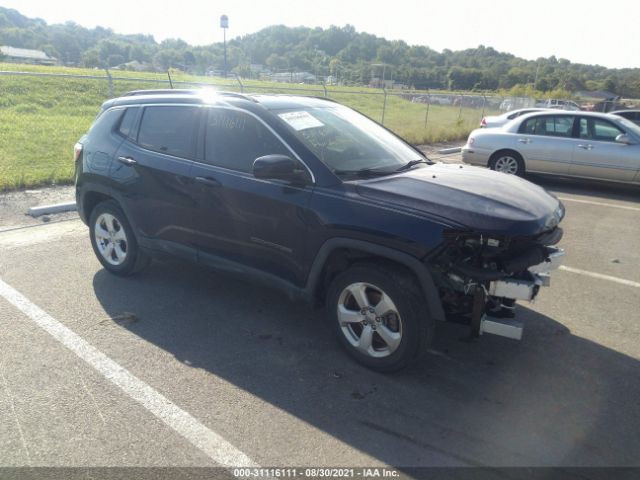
(169, 130)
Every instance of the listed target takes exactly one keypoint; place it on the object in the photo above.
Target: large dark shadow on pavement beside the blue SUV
(552, 399)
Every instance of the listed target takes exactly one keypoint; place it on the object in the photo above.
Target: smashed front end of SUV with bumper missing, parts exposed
(481, 276)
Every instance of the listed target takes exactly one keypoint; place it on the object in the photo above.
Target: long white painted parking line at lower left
(209, 442)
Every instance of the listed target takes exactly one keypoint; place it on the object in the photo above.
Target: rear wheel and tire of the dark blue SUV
(114, 241)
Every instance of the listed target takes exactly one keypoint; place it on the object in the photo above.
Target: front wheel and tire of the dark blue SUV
(379, 316)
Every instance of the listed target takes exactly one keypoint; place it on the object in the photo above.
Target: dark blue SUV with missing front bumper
(313, 198)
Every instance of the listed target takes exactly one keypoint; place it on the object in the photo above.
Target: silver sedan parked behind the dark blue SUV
(582, 144)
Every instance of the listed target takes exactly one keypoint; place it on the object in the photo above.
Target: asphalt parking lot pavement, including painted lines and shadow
(182, 366)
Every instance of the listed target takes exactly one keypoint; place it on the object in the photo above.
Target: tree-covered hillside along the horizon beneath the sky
(339, 51)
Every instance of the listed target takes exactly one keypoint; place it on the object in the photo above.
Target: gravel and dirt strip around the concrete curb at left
(15, 205)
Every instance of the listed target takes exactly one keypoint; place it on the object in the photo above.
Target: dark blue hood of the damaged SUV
(476, 198)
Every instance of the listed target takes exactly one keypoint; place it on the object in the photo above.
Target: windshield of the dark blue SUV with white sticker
(346, 140)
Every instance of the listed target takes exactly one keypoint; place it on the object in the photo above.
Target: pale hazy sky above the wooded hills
(582, 32)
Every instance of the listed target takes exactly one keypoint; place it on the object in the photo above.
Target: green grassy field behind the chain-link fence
(41, 117)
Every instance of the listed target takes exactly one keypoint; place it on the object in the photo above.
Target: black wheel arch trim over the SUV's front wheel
(337, 254)
